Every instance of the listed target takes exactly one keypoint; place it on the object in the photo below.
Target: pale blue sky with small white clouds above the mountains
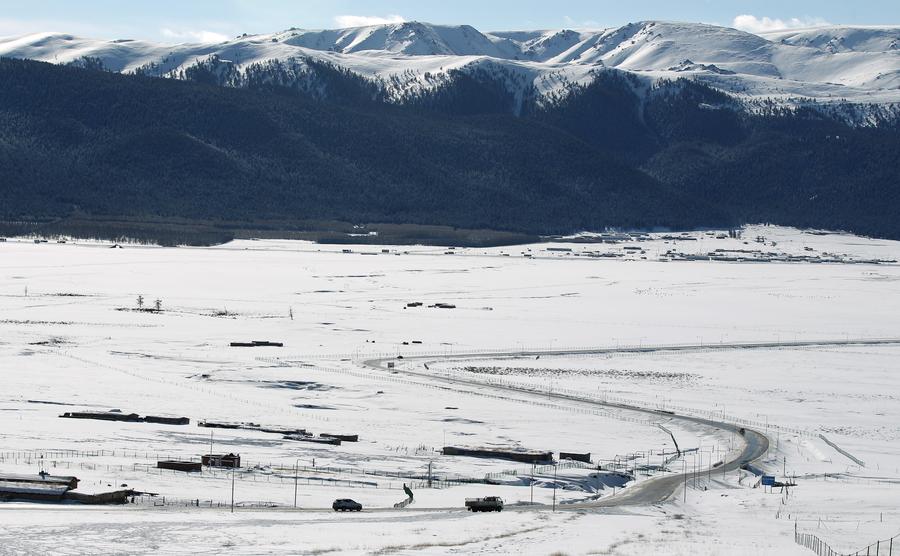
(187, 20)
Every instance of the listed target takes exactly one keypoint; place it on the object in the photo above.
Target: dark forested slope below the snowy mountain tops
(134, 147)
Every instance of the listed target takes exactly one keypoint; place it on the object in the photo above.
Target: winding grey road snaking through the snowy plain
(656, 489)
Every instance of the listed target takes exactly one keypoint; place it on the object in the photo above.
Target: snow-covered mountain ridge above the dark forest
(857, 65)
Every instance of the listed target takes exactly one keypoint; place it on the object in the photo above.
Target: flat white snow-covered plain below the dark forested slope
(72, 338)
